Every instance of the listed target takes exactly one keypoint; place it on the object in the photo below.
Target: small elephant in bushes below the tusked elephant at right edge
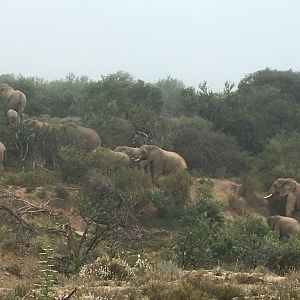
(284, 226)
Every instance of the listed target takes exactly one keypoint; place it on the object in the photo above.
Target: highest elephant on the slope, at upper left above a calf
(17, 99)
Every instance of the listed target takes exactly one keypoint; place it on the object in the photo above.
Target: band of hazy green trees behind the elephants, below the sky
(251, 128)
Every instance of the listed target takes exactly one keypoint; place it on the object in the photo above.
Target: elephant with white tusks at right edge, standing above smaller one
(289, 188)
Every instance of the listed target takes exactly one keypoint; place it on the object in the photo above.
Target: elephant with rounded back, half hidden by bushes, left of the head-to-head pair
(71, 133)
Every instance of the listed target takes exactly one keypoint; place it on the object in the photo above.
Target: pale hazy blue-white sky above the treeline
(192, 40)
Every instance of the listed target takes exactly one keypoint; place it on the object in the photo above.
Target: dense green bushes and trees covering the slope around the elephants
(250, 131)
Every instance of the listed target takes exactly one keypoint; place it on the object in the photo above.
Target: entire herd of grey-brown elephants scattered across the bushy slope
(152, 159)
